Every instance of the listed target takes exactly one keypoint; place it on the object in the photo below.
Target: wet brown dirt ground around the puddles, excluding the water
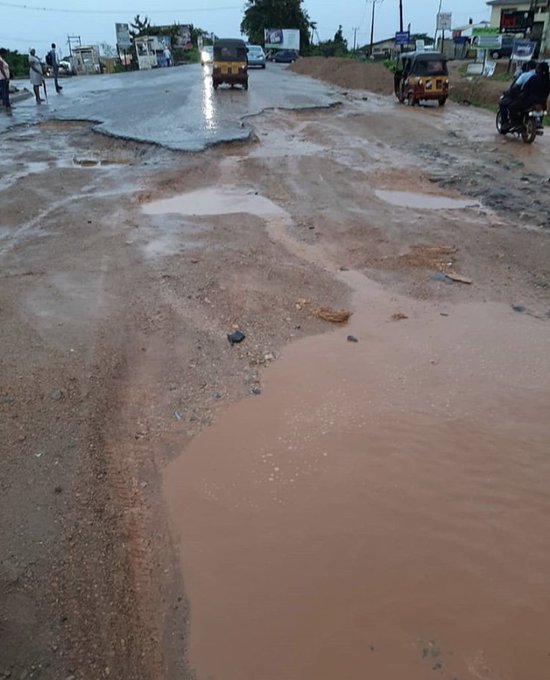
(114, 331)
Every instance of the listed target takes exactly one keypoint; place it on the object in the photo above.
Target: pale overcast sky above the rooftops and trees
(37, 23)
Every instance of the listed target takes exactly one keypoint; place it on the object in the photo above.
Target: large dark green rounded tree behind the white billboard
(262, 14)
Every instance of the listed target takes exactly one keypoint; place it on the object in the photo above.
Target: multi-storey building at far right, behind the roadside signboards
(525, 19)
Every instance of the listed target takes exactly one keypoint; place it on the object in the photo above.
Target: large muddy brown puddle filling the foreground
(381, 510)
